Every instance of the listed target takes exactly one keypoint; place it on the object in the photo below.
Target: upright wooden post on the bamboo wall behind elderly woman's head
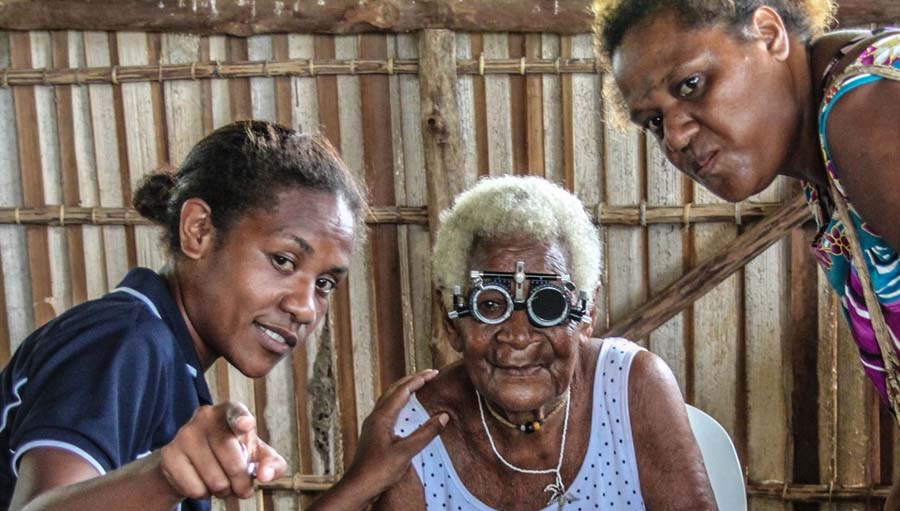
(441, 140)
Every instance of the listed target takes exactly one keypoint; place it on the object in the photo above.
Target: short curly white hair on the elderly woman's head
(515, 206)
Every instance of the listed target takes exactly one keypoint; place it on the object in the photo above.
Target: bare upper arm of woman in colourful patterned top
(863, 132)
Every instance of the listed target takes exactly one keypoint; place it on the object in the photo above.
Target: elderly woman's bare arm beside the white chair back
(673, 477)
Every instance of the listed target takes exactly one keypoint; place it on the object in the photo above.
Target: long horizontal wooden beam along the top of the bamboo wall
(242, 18)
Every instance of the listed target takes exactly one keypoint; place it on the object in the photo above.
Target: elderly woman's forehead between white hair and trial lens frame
(501, 254)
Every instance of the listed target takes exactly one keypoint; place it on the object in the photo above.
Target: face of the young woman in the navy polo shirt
(266, 287)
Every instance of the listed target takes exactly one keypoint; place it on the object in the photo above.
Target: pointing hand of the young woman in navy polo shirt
(215, 454)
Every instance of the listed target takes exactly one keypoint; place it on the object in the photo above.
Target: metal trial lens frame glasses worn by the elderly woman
(548, 305)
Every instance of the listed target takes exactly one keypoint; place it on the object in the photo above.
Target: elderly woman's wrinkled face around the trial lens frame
(515, 364)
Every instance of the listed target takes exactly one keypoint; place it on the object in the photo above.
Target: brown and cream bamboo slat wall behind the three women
(765, 352)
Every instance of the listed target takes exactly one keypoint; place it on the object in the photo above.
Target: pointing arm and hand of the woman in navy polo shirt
(205, 458)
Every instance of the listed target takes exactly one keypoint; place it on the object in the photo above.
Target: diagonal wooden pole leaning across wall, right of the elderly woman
(708, 274)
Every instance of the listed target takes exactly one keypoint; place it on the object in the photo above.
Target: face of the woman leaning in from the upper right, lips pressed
(721, 108)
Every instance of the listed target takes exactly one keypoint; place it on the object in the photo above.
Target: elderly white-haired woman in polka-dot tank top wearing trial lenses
(542, 415)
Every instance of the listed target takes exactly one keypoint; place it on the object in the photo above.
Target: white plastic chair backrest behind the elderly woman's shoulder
(722, 463)
